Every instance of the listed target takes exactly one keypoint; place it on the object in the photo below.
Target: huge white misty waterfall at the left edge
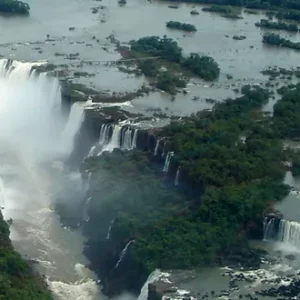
(30, 112)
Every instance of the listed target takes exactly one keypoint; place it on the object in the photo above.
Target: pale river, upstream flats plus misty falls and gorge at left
(32, 170)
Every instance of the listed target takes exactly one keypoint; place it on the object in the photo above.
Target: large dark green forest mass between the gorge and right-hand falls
(220, 154)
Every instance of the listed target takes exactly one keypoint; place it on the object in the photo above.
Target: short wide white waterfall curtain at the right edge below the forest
(289, 233)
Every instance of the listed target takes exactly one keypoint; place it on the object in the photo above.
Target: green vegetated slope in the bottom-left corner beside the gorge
(17, 280)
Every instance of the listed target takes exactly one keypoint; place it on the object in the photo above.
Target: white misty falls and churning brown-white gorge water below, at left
(36, 138)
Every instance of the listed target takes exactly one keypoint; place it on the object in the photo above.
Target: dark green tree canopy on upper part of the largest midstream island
(171, 56)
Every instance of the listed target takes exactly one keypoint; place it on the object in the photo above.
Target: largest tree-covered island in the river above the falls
(163, 62)
